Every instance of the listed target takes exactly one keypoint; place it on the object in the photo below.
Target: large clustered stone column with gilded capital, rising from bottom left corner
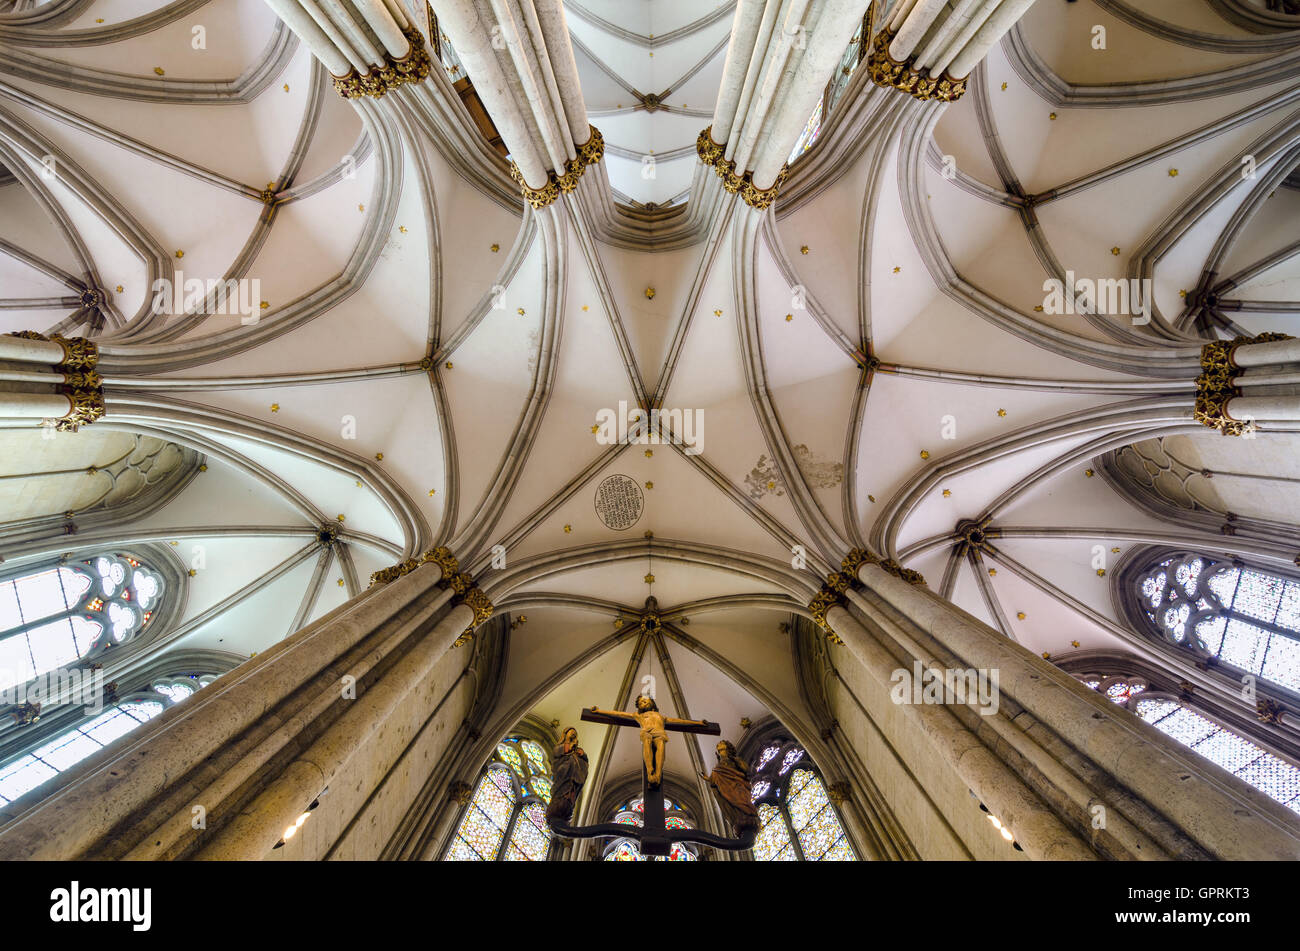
(257, 748)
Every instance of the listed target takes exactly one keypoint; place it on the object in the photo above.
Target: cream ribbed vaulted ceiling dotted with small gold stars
(428, 362)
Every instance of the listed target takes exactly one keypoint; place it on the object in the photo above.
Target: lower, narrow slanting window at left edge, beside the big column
(68, 749)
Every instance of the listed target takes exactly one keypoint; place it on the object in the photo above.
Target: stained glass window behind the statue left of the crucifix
(505, 819)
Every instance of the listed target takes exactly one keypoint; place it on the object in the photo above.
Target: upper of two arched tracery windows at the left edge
(62, 614)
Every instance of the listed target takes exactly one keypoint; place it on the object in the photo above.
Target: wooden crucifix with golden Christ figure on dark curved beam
(655, 837)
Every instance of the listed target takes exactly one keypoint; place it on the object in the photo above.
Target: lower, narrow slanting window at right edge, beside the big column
(1168, 714)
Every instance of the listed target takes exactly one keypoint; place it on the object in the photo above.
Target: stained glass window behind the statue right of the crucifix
(799, 820)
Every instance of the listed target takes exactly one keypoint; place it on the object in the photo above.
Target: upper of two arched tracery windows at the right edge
(1246, 618)
